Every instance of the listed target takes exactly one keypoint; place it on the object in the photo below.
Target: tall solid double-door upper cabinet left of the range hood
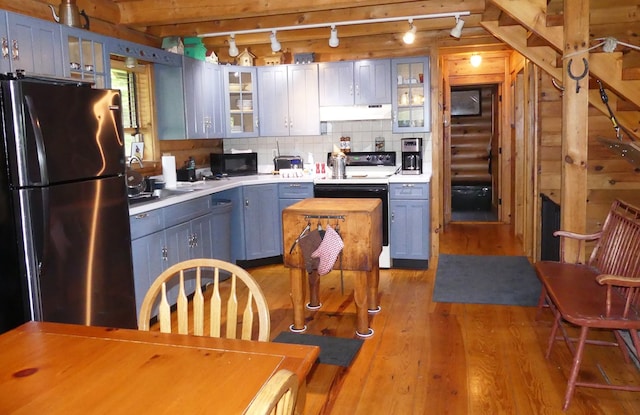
(288, 100)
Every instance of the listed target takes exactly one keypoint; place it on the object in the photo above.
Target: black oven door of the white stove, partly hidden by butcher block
(353, 190)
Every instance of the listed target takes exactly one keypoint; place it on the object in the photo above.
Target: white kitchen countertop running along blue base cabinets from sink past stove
(194, 190)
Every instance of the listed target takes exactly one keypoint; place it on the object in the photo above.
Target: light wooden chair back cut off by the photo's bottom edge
(277, 397)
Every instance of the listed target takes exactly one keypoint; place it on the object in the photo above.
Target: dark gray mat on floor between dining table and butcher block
(333, 350)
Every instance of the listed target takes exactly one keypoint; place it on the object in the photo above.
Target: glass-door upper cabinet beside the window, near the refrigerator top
(86, 56)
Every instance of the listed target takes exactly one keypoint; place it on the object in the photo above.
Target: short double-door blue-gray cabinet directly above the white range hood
(364, 82)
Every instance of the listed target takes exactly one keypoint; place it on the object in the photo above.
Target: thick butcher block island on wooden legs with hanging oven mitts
(358, 222)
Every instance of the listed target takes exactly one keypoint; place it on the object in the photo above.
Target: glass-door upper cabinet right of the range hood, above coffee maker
(410, 91)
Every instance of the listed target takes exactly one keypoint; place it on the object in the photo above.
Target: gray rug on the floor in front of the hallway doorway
(486, 279)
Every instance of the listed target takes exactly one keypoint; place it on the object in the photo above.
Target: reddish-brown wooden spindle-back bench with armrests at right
(602, 294)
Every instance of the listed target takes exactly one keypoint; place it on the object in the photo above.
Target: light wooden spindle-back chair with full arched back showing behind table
(198, 272)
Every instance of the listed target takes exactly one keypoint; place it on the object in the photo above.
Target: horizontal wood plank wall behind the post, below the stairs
(609, 175)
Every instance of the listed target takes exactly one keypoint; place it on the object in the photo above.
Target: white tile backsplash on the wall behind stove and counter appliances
(363, 137)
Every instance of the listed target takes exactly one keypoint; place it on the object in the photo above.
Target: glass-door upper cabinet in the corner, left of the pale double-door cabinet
(241, 101)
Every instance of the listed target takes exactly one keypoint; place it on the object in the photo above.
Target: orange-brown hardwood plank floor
(441, 358)
